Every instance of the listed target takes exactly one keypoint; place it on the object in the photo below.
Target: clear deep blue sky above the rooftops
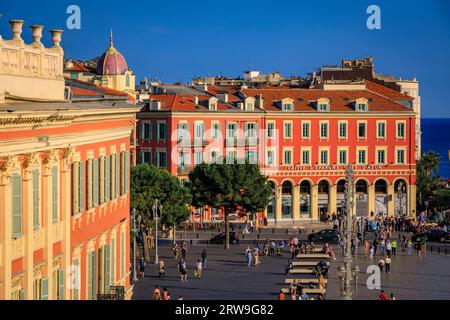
(177, 40)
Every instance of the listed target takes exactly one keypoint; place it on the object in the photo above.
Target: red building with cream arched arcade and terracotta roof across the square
(302, 138)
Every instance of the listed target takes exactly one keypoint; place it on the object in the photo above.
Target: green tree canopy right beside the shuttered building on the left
(149, 183)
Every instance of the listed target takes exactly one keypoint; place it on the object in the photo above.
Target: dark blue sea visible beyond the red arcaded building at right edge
(436, 137)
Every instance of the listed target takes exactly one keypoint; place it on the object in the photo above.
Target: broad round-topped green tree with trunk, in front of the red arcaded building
(229, 186)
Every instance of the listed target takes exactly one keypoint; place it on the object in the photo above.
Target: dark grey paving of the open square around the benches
(228, 277)
